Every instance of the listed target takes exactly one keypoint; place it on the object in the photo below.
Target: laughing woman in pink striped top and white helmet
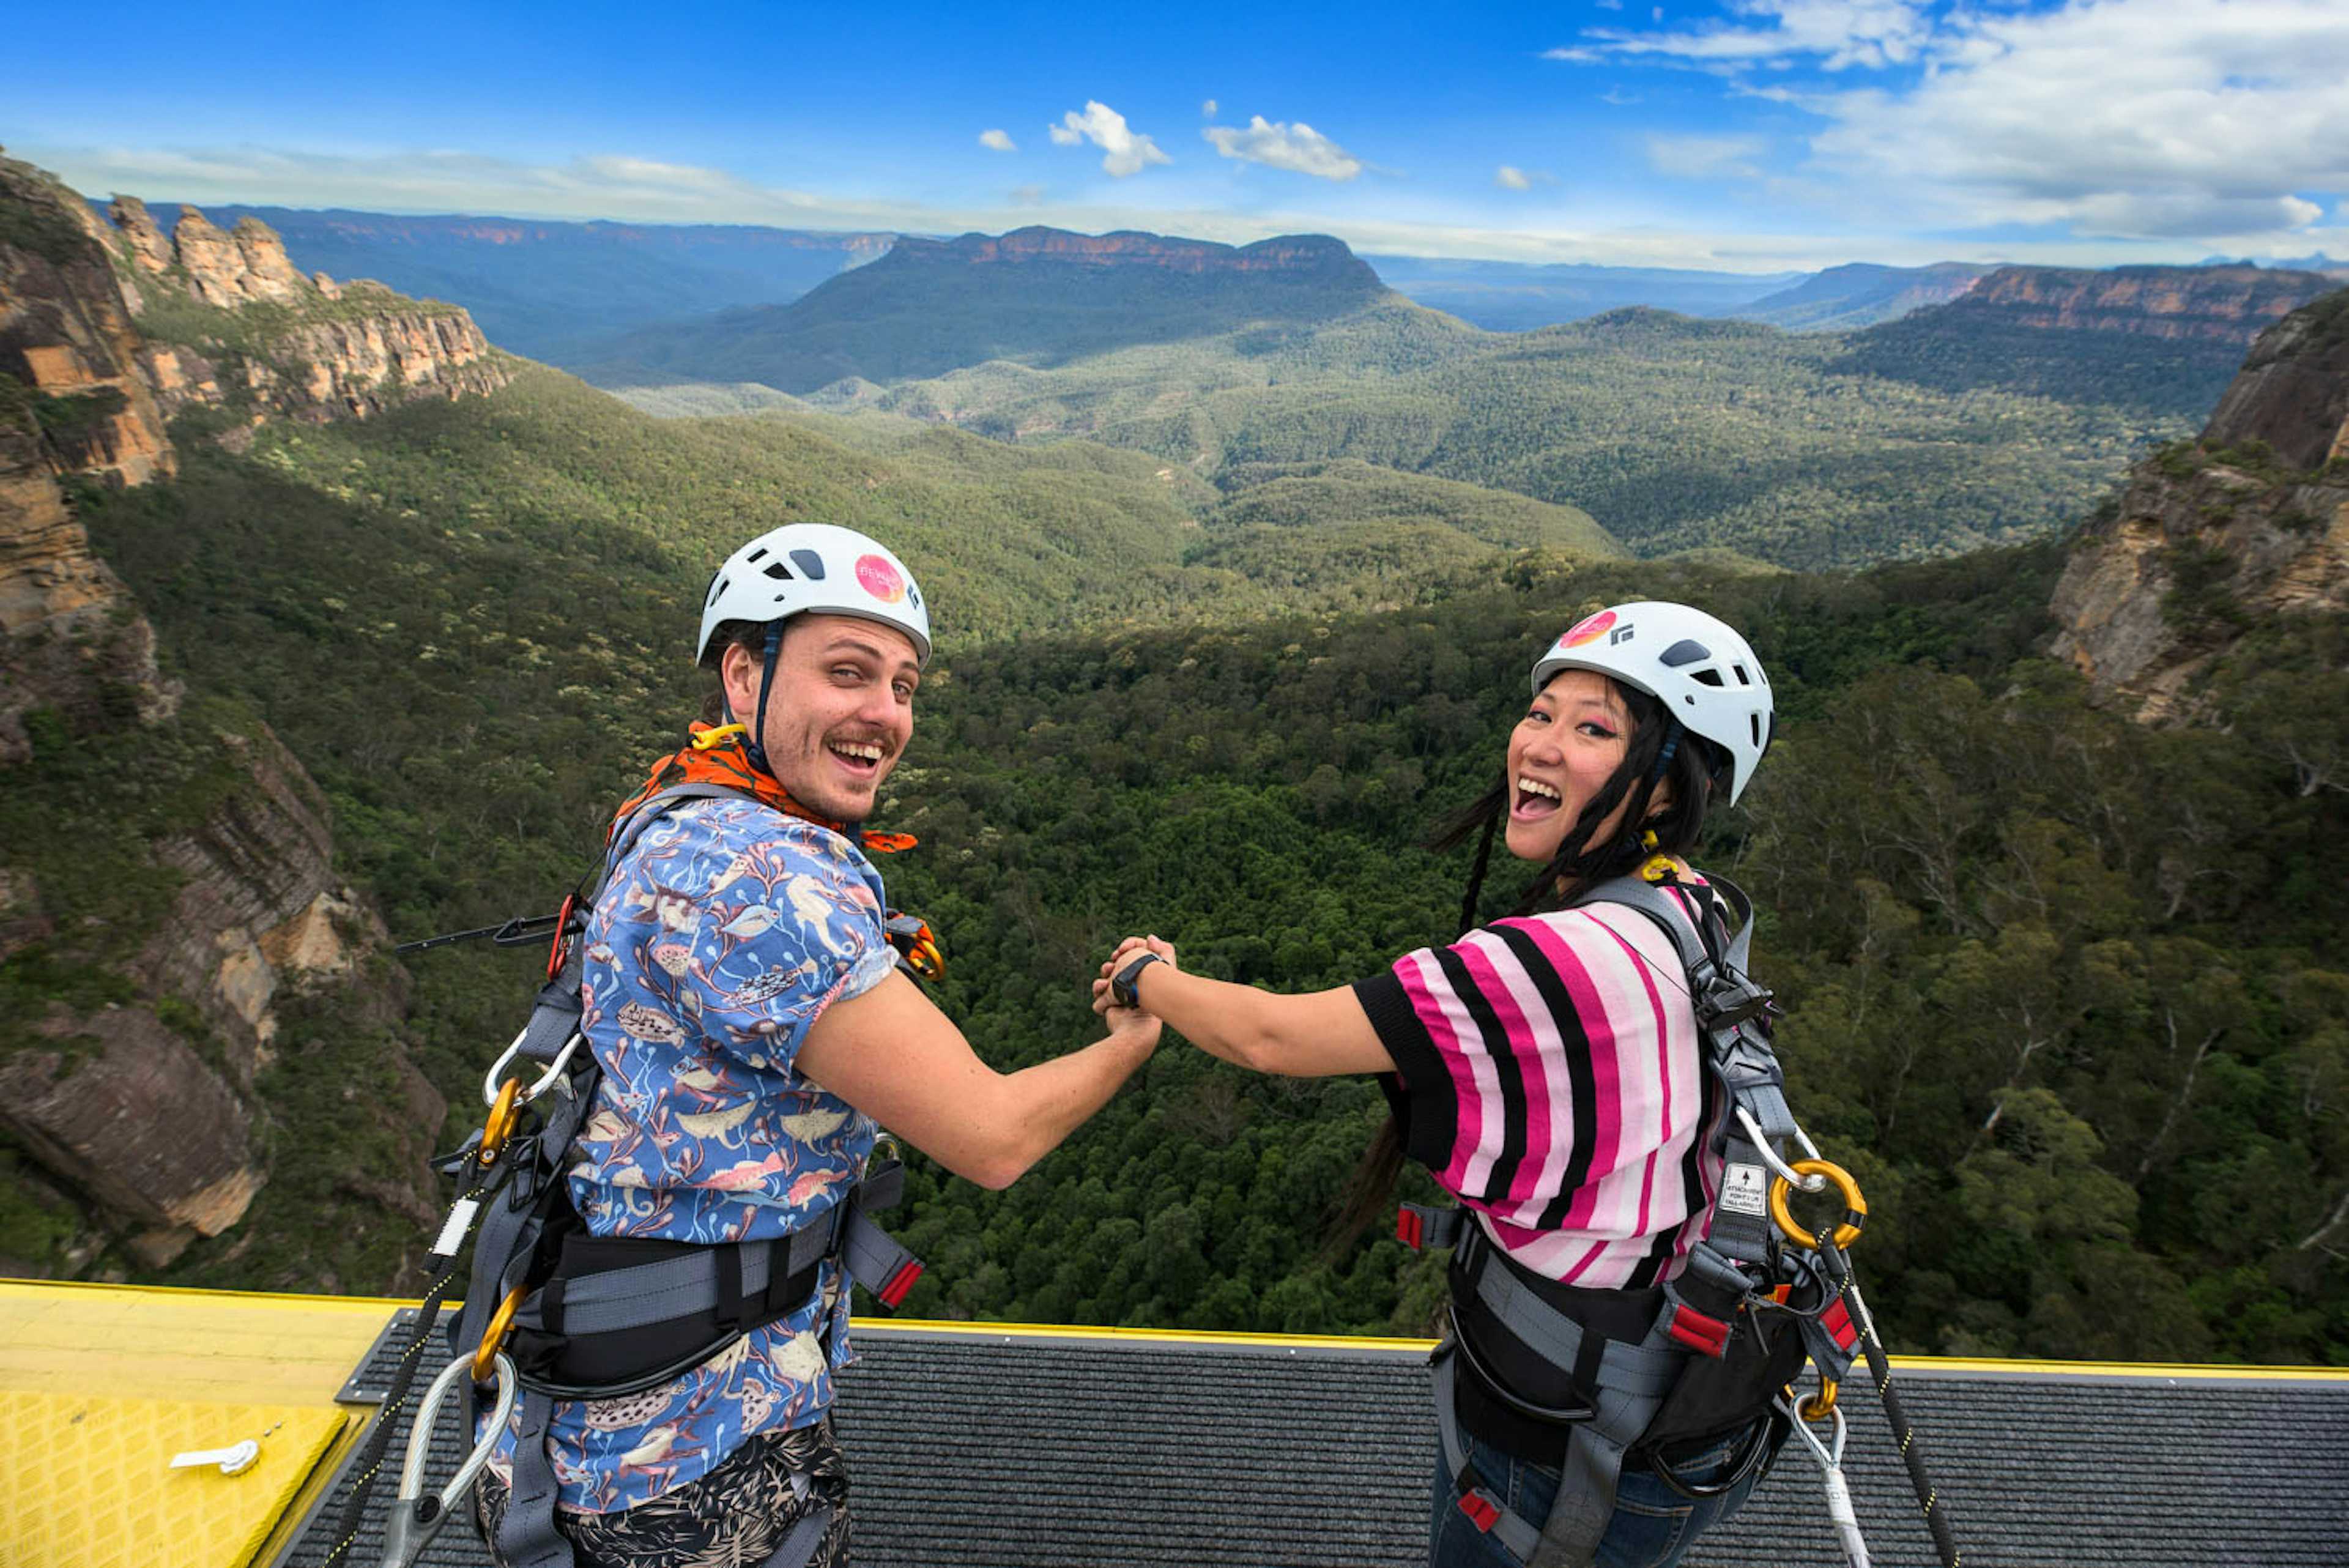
(1549, 1073)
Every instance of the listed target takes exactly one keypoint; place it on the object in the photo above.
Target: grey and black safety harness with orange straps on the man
(556, 1313)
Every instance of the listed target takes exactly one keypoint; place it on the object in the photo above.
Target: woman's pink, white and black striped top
(1554, 1080)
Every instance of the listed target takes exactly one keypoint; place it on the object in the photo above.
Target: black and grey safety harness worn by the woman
(1631, 1376)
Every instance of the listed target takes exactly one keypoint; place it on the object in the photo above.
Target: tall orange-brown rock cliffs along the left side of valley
(166, 866)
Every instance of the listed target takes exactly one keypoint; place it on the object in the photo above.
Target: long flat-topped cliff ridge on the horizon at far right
(2228, 304)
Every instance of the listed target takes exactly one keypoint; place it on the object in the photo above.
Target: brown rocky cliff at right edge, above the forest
(2259, 509)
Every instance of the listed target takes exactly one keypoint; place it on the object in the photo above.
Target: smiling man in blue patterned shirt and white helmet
(753, 1028)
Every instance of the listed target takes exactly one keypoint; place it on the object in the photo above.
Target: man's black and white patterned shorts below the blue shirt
(732, 1517)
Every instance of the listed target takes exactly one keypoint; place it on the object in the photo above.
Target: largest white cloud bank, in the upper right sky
(2111, 119)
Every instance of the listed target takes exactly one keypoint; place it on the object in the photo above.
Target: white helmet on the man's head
(816, 568)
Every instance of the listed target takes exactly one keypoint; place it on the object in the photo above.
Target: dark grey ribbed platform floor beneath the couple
(1030, 1449)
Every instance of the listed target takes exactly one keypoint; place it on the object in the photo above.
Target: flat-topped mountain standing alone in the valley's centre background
(1035, 297)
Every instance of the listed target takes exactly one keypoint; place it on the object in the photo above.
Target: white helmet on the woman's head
(1702, 671)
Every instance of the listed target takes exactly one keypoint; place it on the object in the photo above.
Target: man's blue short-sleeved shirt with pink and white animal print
(718, 942)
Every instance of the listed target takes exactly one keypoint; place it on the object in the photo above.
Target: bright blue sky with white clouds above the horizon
(1746, 135)
